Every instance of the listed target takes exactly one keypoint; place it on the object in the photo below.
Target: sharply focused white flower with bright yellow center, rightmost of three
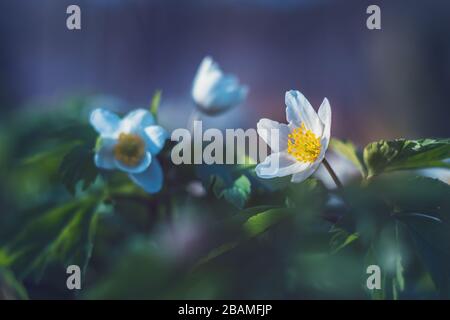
(298, 147)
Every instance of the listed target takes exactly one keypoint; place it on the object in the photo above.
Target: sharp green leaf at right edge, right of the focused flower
(385, 156)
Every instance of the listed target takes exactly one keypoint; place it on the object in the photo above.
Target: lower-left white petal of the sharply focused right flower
(279, 164)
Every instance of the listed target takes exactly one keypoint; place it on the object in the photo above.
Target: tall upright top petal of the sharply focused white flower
(298, 110)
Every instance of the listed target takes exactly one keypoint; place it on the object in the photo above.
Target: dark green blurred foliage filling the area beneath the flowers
(58, 209)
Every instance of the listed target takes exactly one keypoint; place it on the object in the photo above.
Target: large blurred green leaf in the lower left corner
(61, 235)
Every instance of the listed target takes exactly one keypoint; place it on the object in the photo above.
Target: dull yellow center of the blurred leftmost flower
(130, 149)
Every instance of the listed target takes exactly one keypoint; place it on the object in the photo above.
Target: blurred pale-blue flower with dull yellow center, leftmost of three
(130, 145)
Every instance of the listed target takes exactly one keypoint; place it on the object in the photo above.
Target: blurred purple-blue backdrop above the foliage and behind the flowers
(385, 83)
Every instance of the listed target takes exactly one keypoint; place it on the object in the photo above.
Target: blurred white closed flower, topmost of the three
(213, 91)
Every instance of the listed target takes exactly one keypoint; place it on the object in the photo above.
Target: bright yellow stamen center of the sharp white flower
(303, 144)
